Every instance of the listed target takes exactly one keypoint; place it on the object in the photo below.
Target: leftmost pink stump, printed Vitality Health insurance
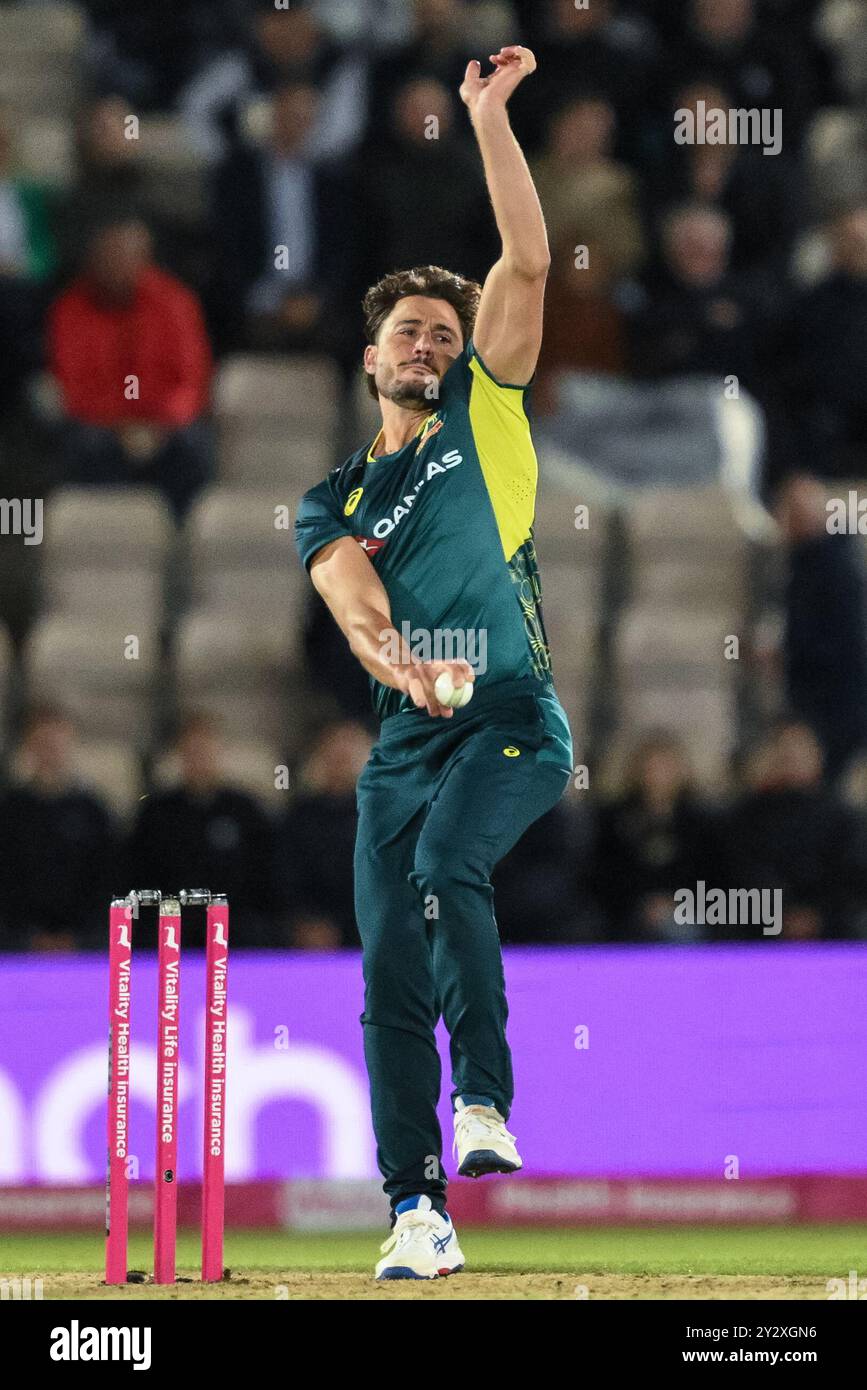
(117, 1177)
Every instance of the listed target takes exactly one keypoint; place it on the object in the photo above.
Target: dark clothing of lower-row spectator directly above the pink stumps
(222, 842)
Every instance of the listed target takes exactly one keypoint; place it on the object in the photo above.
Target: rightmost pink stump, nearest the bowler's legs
(217, 965)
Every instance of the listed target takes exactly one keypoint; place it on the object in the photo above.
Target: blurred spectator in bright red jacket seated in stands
(129, 347)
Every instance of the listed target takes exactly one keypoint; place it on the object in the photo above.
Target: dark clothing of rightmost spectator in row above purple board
(808, 844)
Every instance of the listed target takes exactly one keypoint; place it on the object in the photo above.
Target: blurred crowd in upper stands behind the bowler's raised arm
(336, 133)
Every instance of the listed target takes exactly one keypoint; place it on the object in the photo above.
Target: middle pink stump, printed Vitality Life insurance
(169, 1043)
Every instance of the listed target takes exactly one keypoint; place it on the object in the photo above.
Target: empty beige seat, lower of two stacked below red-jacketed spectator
(91, 669)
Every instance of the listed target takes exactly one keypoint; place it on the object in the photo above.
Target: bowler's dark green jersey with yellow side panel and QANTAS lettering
(448, 526)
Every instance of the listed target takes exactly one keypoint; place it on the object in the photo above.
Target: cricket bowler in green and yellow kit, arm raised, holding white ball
(424, 539)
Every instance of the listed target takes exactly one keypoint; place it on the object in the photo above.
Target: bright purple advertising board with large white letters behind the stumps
(659, 1061)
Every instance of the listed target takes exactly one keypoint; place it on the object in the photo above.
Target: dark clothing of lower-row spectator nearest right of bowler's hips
(641, 858)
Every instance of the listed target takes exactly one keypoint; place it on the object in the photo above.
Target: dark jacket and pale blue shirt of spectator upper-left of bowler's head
(254, 193)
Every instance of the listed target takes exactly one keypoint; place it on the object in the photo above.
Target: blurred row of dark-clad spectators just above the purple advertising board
(594, 869)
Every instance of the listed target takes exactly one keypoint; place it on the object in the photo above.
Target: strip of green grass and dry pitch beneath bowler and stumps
(777, 1263)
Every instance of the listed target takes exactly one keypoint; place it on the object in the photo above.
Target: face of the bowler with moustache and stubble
(418, 344)
